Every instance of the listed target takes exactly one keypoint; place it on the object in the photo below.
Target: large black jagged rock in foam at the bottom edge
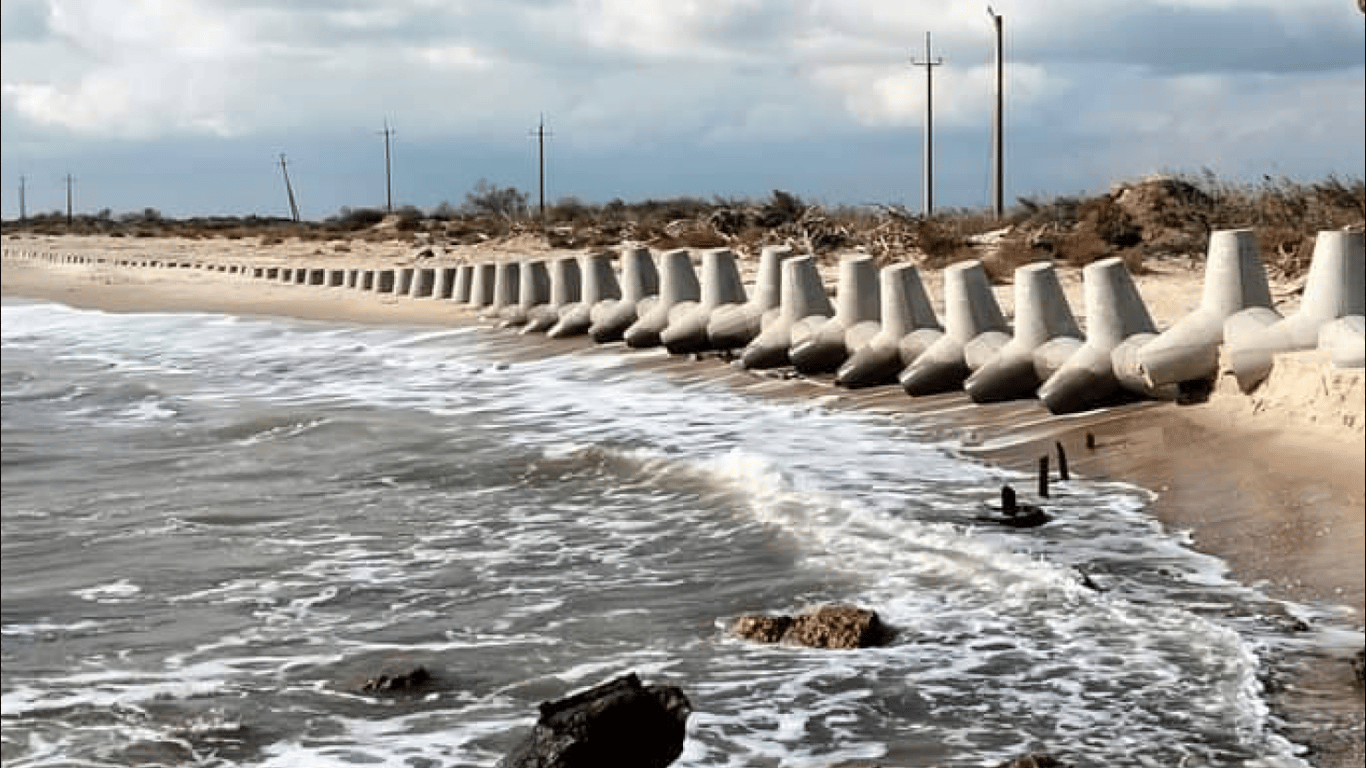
(617, 724)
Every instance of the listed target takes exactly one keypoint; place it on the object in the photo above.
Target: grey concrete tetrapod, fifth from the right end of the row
(975, 329)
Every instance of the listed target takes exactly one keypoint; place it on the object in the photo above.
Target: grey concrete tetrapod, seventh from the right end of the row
(823, 345)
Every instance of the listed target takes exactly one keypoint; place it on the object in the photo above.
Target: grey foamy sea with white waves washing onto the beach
(217, 528)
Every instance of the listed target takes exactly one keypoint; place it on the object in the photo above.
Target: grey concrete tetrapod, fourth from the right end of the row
(1046, 335)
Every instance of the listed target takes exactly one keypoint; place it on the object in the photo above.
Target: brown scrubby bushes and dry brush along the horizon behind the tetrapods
(1155, 218)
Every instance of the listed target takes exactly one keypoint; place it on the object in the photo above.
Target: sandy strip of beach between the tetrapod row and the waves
(1285, 510)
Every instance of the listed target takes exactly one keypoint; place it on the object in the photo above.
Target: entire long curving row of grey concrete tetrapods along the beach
(882, 327)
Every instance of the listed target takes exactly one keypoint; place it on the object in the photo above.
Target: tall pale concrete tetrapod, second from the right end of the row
(1234, 281)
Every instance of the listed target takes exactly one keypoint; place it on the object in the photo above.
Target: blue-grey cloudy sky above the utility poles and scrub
(185, 106)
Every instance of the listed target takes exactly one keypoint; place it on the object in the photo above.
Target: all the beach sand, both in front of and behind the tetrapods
(1272, 483)
